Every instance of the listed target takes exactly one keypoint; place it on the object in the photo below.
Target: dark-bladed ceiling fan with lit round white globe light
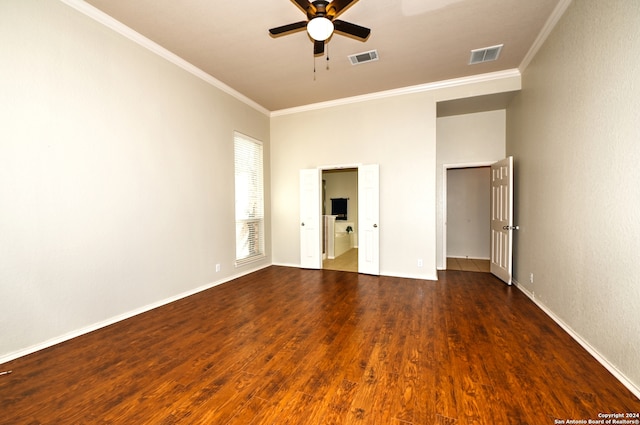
(321, 22)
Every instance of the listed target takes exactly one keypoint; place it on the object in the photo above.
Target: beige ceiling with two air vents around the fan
(418, 42)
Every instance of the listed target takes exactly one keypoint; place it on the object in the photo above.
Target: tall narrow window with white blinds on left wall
(249, 199)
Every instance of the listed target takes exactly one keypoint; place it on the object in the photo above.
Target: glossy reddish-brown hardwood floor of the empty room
(291, 346)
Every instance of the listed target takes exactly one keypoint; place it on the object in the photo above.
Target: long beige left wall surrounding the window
(116, 176)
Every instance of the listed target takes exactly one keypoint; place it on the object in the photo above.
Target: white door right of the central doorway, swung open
(368, 219)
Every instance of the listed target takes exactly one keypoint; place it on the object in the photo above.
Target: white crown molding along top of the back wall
(438, 85)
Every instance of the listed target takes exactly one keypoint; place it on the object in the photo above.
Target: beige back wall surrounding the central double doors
(399, 134)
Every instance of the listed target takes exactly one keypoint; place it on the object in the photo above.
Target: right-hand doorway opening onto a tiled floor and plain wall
(467, 213)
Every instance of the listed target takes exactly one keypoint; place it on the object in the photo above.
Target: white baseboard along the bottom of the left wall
(110, 321)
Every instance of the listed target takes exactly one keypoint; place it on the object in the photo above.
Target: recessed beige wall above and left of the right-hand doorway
(477, 138)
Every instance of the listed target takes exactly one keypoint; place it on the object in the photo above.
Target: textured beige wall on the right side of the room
(574, 134)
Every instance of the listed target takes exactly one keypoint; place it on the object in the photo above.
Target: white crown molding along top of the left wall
(117, 26)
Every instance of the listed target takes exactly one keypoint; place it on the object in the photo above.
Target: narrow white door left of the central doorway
(310, 224)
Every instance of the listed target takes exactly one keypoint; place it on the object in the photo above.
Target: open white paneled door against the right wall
(502, 219)
